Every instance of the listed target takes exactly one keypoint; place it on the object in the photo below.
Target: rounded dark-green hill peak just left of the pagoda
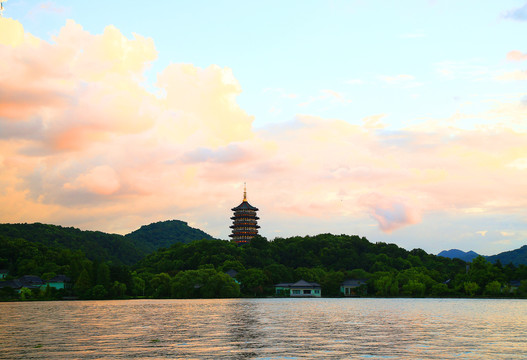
(163, 234)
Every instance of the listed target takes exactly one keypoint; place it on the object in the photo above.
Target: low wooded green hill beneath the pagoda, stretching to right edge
(328, 260)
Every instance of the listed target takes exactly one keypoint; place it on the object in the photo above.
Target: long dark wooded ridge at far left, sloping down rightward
(96, 245)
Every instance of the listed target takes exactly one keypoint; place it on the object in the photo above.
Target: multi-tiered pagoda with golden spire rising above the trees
(244, 226)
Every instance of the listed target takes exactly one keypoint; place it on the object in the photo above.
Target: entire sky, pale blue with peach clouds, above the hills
(403, 122)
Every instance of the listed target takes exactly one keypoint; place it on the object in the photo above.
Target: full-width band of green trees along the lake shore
(197, 269)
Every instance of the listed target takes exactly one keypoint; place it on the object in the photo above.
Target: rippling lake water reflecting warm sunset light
(265, 329)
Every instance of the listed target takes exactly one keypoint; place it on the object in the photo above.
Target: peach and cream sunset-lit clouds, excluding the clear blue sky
(85, 141)
